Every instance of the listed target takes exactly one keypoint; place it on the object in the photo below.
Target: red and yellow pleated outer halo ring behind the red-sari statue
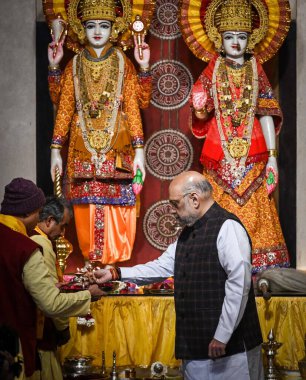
(192, 18)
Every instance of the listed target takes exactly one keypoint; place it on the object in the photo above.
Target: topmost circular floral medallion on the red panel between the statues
(164, 24)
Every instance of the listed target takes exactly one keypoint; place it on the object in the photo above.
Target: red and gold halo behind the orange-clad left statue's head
(126, 11)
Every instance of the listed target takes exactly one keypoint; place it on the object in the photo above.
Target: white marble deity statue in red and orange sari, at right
(234, 109)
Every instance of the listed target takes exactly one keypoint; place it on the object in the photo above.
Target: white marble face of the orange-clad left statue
(98, 32)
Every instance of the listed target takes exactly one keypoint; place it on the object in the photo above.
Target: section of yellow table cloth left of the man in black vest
(141, 329)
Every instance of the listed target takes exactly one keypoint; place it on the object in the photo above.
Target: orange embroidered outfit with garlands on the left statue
(102, 136)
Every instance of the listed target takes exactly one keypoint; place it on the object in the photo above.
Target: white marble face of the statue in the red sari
(234, 43)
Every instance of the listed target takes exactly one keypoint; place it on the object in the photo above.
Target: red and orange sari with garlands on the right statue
(234, 154)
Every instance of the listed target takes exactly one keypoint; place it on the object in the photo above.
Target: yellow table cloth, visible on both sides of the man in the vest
(141, 329)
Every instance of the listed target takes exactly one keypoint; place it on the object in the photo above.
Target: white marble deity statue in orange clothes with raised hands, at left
(98, 99)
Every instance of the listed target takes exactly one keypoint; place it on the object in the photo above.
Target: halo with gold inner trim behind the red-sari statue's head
(270, 25)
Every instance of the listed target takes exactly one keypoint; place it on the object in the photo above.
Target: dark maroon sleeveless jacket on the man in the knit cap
(17, 308)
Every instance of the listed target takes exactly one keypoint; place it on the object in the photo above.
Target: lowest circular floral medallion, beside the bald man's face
(160, 226)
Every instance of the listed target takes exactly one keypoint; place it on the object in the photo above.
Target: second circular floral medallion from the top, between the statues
(172, 83)
